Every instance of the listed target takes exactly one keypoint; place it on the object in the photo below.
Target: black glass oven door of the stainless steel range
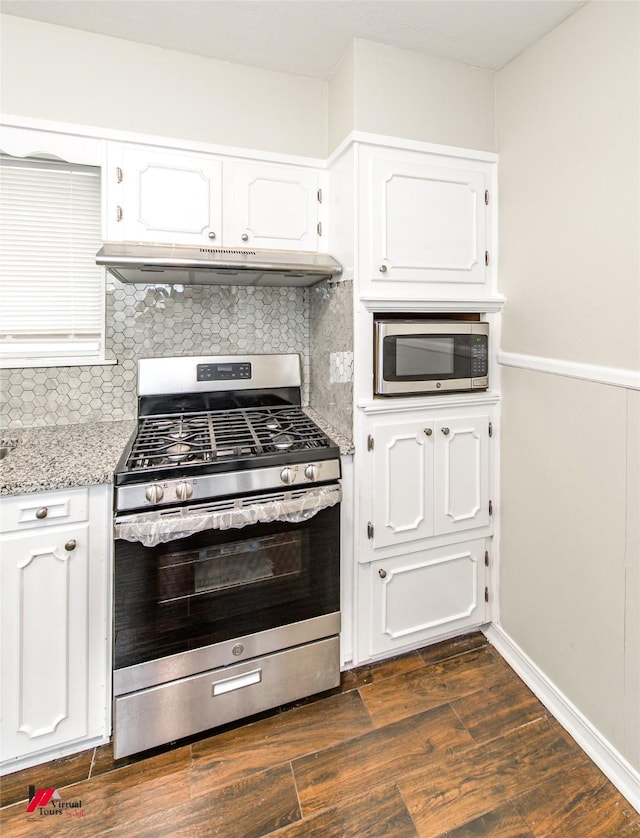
(213, 587)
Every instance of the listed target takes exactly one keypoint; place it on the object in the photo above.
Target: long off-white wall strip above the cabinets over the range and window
(56, 73)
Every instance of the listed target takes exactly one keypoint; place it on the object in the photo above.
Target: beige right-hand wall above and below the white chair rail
(569, 142)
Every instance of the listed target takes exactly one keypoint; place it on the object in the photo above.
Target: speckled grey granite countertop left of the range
(62, 456)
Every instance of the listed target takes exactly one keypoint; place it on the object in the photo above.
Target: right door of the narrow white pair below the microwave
(462, 474)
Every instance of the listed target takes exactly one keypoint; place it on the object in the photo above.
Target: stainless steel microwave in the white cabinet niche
(414, 357)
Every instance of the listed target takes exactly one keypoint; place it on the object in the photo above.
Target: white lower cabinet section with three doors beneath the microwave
(425, 522)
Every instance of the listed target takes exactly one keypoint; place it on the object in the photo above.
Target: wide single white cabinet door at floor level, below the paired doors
(420, 596)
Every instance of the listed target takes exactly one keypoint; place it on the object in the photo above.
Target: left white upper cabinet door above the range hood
(165, 197)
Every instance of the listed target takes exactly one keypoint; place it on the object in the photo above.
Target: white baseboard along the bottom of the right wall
(623, 775)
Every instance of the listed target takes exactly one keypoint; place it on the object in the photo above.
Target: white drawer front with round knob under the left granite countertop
(41, 510)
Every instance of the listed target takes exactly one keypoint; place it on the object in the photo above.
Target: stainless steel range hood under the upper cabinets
(161, 264)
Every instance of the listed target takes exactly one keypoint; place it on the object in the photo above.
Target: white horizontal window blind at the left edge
(51, 290)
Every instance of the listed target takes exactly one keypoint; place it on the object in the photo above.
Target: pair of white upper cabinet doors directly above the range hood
(180, 197)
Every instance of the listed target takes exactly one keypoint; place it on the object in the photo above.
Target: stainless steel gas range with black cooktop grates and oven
(227, 551)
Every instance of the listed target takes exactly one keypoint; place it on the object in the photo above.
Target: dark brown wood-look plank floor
(443, 741)
